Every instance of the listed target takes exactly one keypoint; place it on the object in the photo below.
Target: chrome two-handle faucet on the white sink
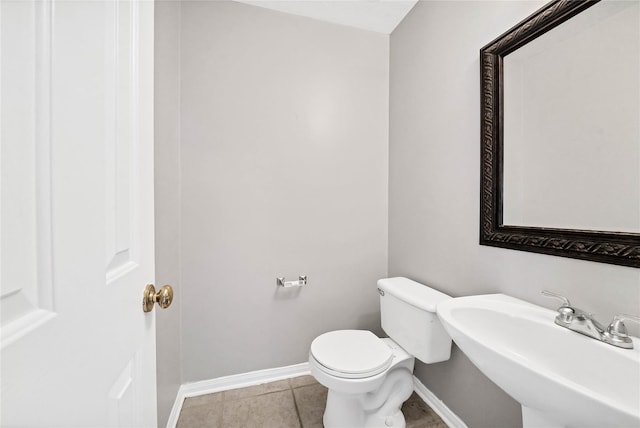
(584, 323)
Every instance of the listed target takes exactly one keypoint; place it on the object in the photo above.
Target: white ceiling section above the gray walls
(381, 16)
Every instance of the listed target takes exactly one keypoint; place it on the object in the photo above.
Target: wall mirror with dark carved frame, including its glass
(560, 134)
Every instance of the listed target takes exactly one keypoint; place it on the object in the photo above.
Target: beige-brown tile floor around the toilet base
(291, 403)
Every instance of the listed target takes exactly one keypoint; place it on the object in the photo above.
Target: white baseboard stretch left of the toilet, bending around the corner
(232, 382)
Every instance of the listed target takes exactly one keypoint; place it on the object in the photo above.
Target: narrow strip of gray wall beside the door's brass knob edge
(167, 200)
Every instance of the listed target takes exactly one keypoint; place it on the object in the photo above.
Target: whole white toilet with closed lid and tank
(369, 378)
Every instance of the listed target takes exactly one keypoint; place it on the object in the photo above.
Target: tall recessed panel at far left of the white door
(26, 297)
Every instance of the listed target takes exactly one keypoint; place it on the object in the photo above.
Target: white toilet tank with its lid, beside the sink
(408, 312)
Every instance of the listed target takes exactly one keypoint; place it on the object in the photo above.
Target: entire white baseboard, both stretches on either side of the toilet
(271, 375)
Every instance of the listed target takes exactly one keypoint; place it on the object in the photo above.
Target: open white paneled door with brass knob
(76, 213)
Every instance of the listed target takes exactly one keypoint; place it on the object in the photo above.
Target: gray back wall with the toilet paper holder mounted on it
(284, 161)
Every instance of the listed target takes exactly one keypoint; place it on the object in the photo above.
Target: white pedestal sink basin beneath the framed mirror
(560, 377)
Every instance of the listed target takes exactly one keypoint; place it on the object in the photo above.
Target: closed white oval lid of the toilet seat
(352, 353)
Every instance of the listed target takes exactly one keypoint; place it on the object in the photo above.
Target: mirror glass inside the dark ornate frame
(572, 124)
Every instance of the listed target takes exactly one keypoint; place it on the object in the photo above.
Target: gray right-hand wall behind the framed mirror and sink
(434, 195)
